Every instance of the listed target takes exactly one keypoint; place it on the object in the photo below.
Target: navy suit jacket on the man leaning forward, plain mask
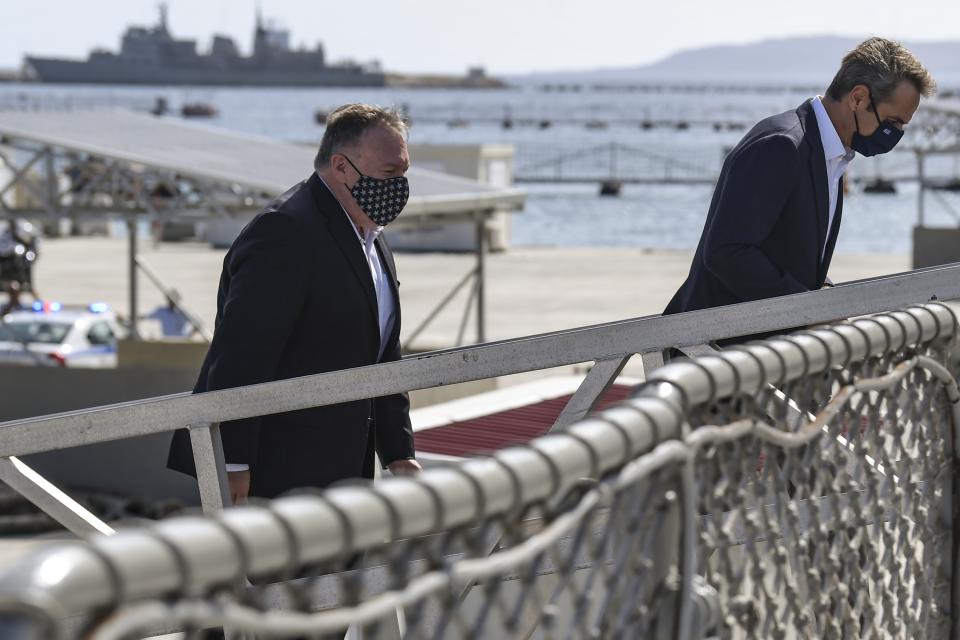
(767, 224)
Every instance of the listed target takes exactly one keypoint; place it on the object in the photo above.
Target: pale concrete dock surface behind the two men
(529, 290)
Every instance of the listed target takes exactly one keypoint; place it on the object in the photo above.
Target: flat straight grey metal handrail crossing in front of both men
(594, 343)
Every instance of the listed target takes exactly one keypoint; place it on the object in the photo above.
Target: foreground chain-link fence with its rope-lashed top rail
(794, 488)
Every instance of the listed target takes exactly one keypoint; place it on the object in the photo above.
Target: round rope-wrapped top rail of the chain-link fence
(196, 555)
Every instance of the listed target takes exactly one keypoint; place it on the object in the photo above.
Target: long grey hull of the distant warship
(51, 70)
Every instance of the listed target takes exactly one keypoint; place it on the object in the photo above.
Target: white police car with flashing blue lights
(52, 334)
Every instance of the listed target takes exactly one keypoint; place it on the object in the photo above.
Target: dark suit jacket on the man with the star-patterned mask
(296, 298)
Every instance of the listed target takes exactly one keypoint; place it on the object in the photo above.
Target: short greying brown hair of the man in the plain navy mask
(881, 65)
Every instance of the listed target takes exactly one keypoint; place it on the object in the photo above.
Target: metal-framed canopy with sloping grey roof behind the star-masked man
(122, 165)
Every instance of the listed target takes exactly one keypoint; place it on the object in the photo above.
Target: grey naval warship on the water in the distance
(152, 56)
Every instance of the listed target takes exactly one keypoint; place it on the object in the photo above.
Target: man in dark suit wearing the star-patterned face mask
(310, 286)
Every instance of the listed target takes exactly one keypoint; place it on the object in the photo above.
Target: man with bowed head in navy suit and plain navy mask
(775, 213)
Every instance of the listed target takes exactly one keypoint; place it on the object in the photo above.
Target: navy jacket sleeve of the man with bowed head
(753, 194)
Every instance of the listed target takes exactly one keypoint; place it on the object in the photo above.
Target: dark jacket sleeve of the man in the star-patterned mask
(262, 302)
